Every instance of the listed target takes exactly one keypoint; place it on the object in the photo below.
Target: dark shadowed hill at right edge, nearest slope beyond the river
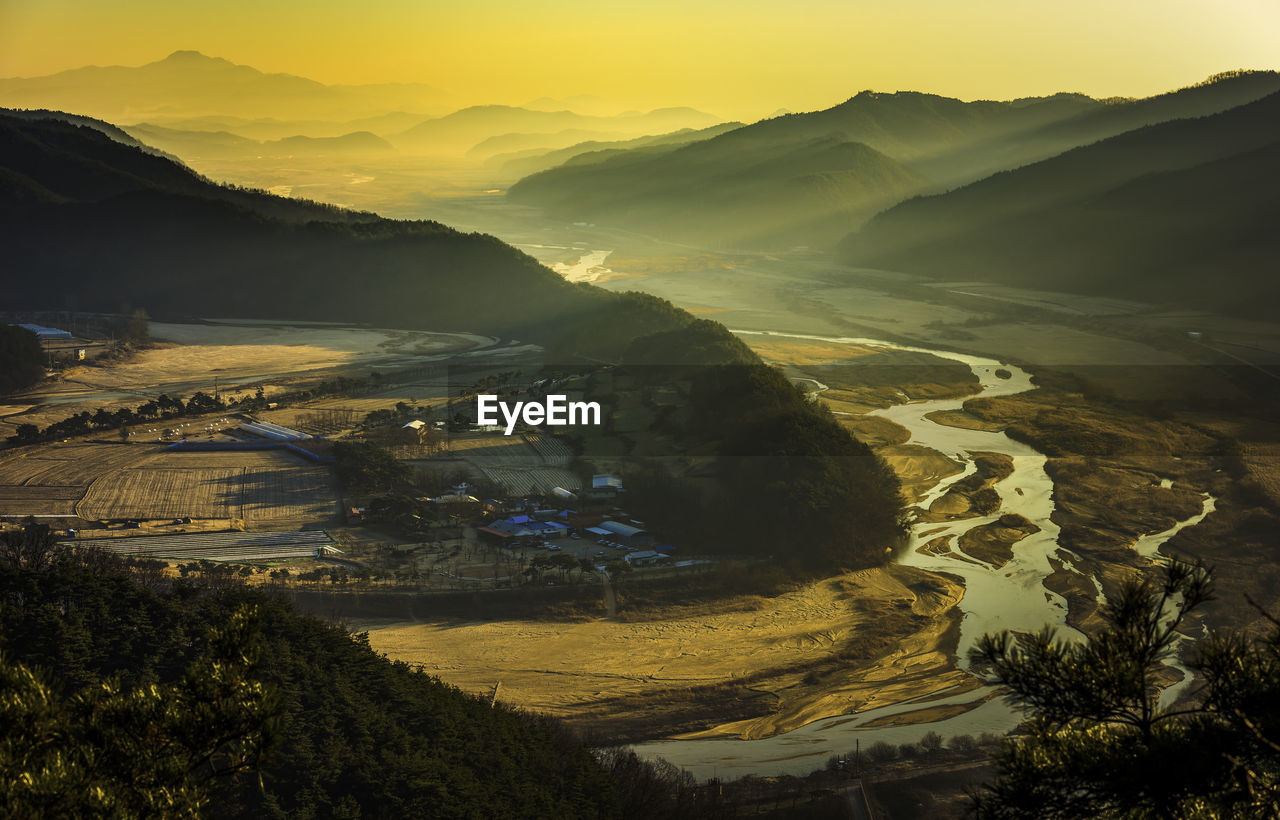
(1182, 212)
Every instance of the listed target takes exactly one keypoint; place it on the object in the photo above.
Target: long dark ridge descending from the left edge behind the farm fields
(95, 225)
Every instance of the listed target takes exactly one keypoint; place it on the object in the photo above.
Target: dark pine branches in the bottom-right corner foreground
(1099, 743)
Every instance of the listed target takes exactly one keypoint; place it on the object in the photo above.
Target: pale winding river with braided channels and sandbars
(1012, 597)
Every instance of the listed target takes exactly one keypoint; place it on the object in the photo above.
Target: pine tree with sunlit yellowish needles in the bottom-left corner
(111, 752)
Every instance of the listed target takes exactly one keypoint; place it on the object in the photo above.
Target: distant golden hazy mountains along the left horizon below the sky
(189, 91)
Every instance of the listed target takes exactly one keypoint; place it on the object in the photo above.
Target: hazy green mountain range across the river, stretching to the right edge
(784, 182)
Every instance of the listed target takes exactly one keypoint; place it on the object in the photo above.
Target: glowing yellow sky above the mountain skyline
(740, 58)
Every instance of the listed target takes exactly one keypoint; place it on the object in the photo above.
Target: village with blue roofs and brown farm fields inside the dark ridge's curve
(252, 482)
